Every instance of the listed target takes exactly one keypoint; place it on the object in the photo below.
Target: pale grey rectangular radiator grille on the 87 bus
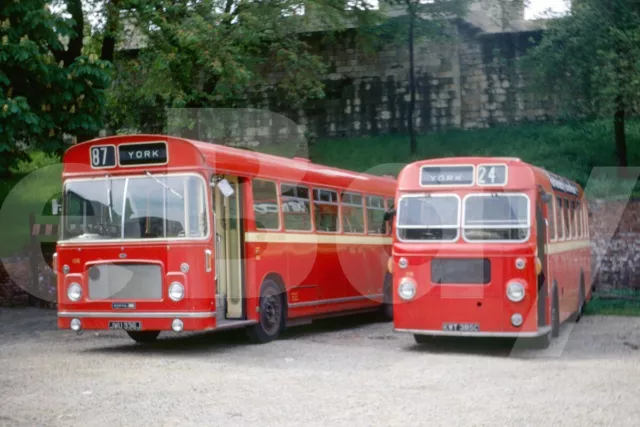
(125, 282)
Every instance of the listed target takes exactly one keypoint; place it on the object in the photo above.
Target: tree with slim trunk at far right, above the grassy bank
(589, 62)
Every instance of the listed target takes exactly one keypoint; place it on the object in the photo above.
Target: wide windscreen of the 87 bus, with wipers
(140, 207)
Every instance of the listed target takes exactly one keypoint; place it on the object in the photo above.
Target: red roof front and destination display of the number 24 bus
(460, 173)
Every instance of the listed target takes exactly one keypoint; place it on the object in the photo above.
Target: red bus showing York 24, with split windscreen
(488, 246)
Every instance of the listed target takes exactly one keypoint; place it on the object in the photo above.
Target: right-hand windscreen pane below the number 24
(496, 217)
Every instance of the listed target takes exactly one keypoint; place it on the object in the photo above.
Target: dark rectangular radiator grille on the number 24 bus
(460, 270)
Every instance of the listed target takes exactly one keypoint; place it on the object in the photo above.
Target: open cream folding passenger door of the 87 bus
(229, 248)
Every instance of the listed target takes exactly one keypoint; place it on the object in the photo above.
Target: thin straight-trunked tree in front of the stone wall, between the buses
(423, 20)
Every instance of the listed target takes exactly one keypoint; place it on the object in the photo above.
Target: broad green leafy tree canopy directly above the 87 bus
(221, 53)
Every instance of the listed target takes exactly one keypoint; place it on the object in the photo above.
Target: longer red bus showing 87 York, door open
(167, 234)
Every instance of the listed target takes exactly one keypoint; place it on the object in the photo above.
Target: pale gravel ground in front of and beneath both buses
(340, 372)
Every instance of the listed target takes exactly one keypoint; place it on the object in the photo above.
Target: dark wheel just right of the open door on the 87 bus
(271, 314)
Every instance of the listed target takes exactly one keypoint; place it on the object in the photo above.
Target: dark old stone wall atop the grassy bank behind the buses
(471, 81)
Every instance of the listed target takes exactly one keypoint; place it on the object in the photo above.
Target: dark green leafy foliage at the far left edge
(42, 98)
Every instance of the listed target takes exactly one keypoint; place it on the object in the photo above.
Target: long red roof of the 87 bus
(185, 154)
